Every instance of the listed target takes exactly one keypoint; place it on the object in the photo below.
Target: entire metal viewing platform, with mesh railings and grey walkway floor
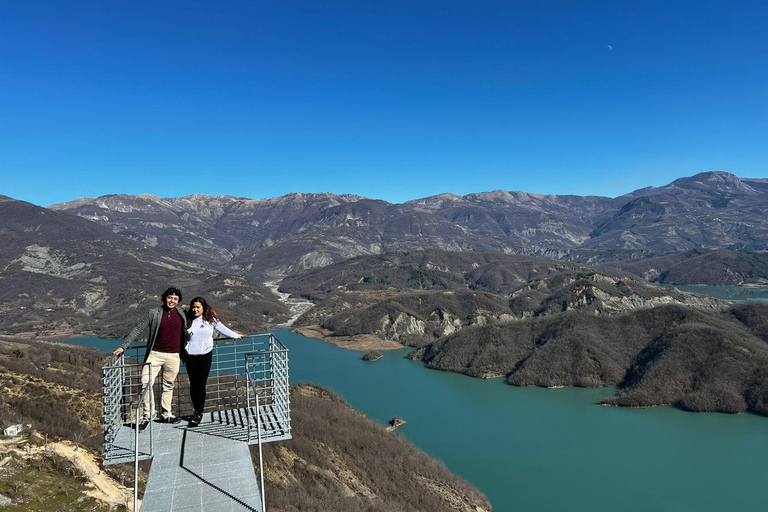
(208, 467)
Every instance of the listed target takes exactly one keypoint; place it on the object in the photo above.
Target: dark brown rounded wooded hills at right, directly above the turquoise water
(671, 355)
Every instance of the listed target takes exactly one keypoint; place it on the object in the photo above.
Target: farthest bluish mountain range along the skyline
(272, 238)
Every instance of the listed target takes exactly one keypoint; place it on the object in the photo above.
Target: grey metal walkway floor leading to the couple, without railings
(197, 469)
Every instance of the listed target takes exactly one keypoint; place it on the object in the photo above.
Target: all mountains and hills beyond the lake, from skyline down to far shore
(464, 279)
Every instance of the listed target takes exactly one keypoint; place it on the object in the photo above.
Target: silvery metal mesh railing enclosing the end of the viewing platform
(241, 371)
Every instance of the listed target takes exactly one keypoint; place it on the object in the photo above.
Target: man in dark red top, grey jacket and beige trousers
(167, 333)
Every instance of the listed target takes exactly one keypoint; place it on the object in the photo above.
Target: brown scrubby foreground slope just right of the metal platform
(342, 461)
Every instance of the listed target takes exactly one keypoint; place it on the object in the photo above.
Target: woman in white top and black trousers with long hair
(202, 320)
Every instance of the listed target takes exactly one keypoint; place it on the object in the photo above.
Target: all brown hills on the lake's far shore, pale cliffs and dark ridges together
(565, 326)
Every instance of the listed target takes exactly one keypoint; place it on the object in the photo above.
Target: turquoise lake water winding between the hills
(533, 449)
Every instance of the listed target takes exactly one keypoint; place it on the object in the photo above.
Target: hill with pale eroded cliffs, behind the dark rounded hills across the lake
(416, 297)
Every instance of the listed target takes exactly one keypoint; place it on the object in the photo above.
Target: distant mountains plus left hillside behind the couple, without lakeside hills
(78, 265)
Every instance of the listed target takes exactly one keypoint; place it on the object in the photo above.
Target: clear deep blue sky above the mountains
(391, 100)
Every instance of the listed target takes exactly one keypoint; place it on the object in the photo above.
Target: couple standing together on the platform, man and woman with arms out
(174, 335)
